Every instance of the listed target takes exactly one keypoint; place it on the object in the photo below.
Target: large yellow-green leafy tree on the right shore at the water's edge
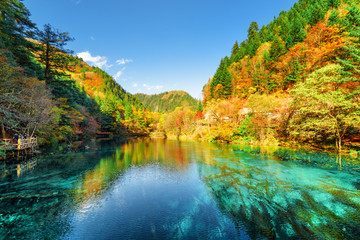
(326, 108)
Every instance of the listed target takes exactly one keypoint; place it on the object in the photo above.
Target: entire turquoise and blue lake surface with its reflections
(147, 189)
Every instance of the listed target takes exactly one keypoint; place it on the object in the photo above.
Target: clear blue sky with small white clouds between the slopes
(155, 46)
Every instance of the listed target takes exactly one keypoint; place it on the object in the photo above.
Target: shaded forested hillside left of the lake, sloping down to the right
(45, 91)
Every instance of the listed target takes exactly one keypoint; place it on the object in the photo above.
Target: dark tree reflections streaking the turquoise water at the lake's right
(276, 199)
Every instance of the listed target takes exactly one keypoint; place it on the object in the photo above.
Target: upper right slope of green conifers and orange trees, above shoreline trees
(274, 57)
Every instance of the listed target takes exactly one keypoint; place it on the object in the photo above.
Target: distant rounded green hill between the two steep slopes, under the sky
(167, 101)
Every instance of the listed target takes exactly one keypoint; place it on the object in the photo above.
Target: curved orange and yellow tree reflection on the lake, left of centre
(135, 153)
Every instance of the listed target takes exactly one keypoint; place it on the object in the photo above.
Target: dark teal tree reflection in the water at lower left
(38, 203)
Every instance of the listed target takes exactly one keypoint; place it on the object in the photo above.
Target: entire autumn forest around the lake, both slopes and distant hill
(294, 81)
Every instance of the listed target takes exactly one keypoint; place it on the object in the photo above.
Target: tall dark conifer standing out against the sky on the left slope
(51, 51)
